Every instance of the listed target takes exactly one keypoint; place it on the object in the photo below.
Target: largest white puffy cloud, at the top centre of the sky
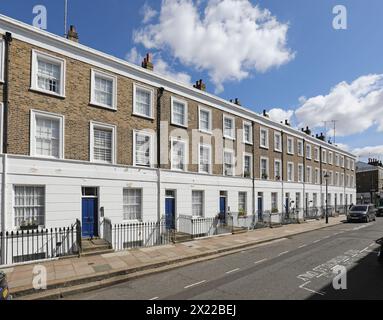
(229, 38)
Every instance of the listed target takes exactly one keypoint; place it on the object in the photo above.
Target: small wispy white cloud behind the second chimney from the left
(160, 66)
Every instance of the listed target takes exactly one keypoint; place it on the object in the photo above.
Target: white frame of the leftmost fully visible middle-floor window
(32, 135)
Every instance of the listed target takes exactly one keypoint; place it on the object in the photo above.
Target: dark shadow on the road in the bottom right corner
(364, 282)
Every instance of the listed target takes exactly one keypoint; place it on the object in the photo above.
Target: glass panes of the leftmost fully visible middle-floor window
(47, 137)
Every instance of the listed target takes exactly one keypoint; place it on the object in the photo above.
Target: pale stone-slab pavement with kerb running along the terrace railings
(77, 275)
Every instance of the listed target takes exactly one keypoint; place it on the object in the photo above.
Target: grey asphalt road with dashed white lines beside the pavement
(297, 267)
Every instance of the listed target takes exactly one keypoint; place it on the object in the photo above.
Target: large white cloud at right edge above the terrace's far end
(357, 106)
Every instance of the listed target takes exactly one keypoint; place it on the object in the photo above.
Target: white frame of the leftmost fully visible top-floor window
(47, 57)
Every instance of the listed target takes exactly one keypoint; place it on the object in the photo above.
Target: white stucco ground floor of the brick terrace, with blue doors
(54, 193)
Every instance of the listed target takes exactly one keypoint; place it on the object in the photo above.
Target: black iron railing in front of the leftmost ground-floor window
(33, 245)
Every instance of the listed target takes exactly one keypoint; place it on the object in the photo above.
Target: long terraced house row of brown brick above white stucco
(87, 135)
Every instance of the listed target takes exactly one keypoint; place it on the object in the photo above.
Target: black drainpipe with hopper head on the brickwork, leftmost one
(7, 42)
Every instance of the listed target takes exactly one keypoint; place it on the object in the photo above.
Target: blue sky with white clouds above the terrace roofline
(283, 56)
